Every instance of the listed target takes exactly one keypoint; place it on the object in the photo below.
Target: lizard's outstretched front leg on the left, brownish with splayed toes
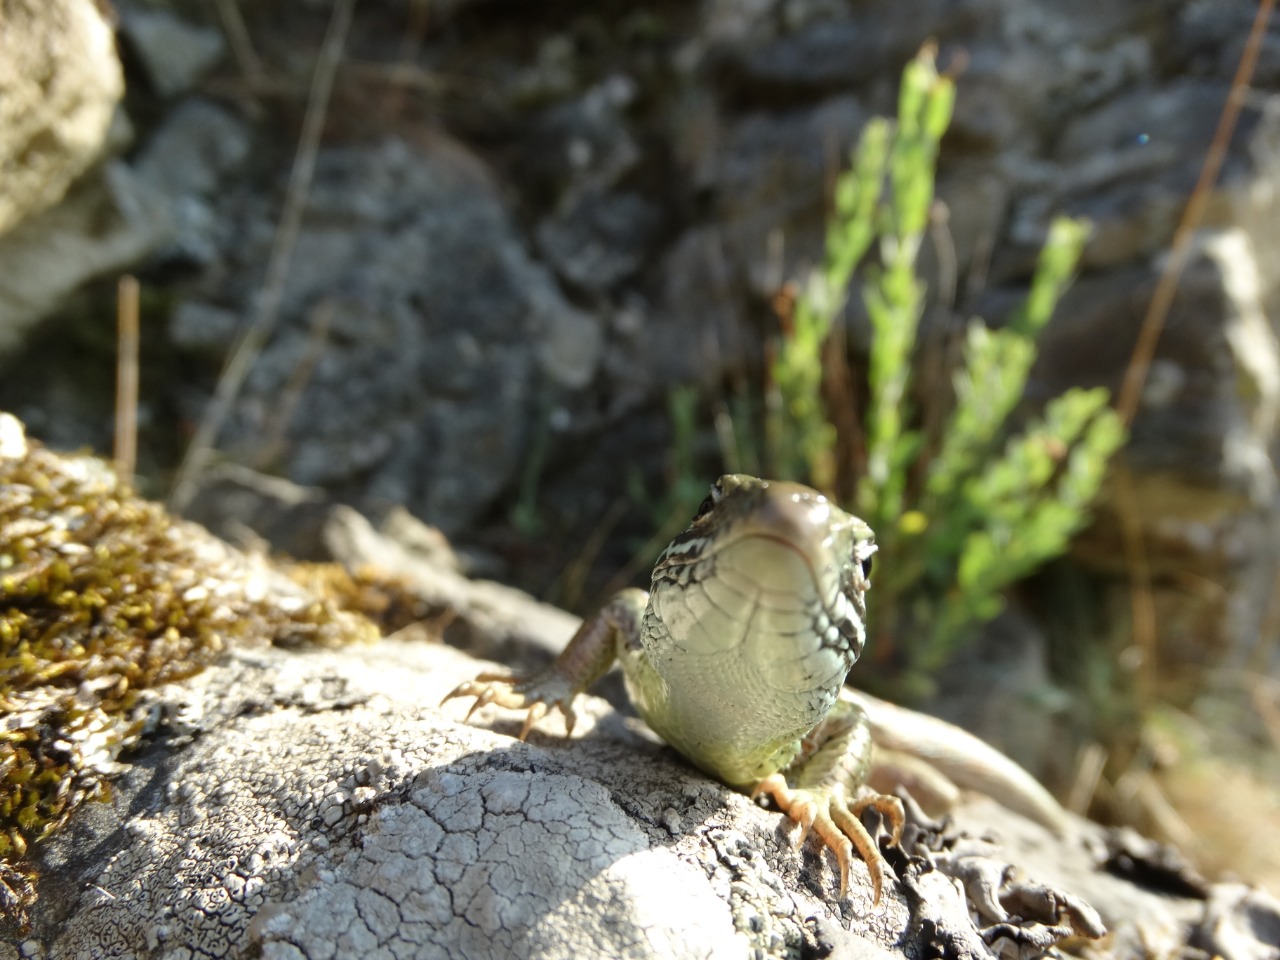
(597, 644)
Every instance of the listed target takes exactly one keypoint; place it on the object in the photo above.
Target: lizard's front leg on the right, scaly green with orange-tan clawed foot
(824, 792)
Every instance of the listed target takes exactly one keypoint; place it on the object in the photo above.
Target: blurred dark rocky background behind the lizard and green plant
(529, 223)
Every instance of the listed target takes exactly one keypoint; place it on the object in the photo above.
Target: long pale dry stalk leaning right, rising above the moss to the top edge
(249, 348)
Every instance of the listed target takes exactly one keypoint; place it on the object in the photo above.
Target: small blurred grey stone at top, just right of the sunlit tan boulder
(175, 53)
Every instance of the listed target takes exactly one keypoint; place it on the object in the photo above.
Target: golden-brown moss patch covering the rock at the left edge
(104, 596)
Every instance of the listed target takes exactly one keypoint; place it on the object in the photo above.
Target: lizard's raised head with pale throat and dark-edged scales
(775, 570)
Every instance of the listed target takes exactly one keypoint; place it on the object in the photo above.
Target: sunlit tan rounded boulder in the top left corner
(60, 85)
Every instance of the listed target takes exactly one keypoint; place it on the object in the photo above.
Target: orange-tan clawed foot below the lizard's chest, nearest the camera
(838, 825)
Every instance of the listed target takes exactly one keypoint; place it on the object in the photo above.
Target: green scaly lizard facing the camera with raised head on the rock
(738, 656)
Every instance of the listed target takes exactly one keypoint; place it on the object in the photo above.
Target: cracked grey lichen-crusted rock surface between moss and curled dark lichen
(323, 808)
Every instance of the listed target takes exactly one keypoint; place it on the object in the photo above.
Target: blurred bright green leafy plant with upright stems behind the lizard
(963, 516)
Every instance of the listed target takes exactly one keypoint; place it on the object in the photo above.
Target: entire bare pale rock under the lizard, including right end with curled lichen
(319, 804)
